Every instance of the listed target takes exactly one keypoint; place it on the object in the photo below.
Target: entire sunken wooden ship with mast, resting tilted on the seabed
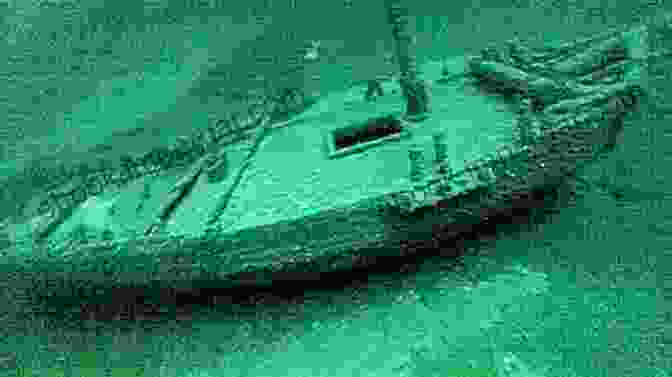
(374, 170)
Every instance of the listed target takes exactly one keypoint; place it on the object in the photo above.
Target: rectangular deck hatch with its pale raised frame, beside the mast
(360, 136)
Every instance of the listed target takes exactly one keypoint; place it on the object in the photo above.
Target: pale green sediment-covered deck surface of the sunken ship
(292, 174)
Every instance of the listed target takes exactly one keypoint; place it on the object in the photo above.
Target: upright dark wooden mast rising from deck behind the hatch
(413, 88)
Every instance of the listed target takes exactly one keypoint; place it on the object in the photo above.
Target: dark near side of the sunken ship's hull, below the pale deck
(320, 243)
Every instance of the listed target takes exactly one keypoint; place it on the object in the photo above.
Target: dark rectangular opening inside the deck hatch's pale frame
(373, 129)
